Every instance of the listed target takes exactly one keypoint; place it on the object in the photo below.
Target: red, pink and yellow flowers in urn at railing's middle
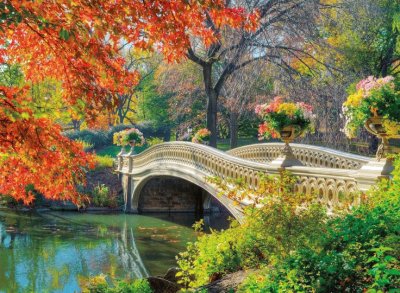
(277, 115)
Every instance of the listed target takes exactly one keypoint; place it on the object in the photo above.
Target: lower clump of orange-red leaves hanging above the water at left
(34, 152)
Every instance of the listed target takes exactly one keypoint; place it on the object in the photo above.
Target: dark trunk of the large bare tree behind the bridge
(212, 98)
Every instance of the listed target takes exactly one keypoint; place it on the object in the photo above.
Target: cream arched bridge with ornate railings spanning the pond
(331, 175)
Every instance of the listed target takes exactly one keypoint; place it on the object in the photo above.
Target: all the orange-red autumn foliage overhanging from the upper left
(79, 43)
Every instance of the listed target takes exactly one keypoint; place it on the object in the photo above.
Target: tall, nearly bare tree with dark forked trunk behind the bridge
(276, 33)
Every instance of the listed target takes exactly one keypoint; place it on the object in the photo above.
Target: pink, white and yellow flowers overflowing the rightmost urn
(373, 97)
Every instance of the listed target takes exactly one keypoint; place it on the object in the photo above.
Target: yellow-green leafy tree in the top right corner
(365, 35)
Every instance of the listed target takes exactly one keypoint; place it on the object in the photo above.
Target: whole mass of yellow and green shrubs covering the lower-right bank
(295, 247)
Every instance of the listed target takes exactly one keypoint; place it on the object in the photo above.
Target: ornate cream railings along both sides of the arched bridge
(331, 175)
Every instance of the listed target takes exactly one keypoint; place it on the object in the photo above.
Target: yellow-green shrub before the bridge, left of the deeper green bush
(267, 235)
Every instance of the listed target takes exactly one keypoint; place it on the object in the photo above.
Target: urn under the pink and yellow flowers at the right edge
(374, 125)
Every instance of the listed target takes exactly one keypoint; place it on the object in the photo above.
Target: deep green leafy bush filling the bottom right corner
(360, 251)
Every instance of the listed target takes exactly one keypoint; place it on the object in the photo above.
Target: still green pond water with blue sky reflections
(57, 251)
